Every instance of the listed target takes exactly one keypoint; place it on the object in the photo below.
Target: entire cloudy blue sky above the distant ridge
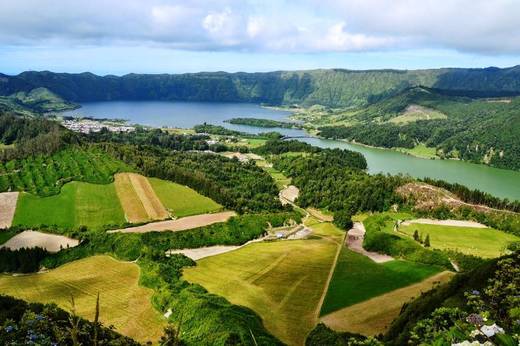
(176, 36)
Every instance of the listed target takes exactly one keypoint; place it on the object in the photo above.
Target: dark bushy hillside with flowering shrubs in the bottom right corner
(442, 316)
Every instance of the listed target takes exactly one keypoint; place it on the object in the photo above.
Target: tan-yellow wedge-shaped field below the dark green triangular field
(375, 315)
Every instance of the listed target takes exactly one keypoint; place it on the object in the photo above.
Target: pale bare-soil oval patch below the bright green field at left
(50, 242)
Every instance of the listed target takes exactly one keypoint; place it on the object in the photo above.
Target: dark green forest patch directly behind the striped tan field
(242, 187)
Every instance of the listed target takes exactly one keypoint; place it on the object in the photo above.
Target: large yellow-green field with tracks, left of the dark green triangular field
(282, 281)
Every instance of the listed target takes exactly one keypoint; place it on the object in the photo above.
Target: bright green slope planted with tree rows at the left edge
(45, 175)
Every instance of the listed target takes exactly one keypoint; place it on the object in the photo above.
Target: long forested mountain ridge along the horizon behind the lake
(334, 87)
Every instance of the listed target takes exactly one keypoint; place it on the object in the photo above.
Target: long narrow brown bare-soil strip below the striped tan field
(181, 224)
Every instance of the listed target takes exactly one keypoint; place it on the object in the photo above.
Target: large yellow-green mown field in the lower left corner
(123, 303)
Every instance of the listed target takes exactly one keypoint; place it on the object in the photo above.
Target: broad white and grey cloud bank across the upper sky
(480, 26)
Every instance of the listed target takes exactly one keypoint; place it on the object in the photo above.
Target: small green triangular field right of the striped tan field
(181, 200)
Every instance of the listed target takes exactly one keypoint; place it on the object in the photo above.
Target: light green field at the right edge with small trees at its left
(483, 242)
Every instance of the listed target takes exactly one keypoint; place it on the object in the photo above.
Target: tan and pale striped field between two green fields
(138, 198)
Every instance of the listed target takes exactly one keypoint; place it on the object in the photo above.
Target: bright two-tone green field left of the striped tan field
(77, 204)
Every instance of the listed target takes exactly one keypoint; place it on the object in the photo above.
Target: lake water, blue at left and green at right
(499, 182)
